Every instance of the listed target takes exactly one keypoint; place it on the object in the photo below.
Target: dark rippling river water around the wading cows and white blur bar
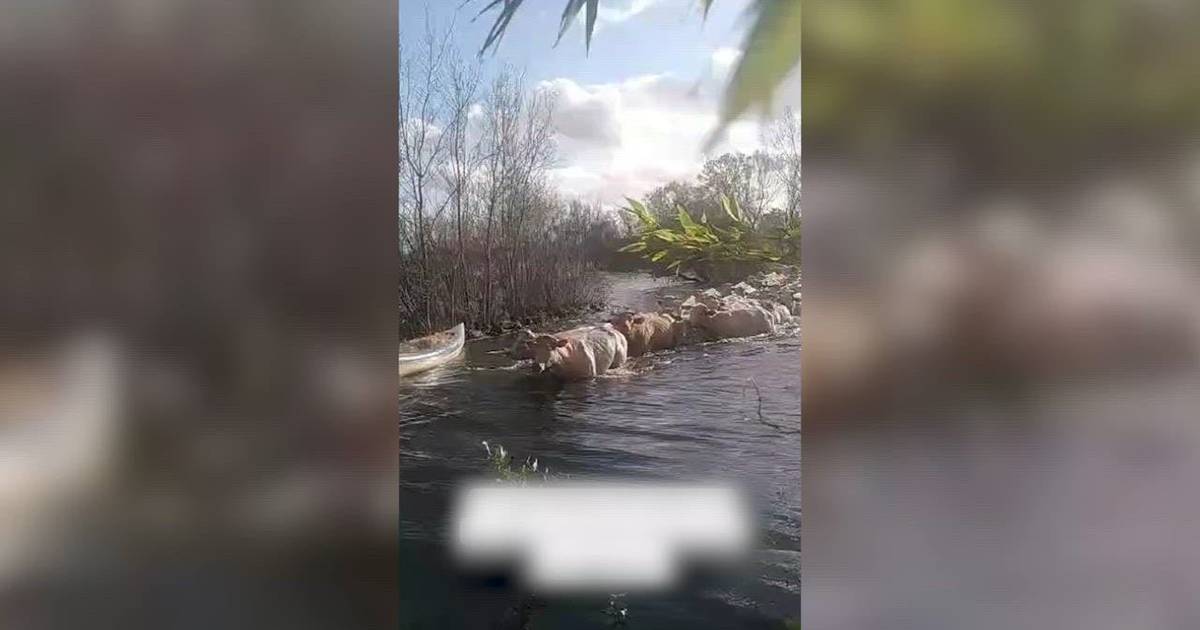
(695, 413)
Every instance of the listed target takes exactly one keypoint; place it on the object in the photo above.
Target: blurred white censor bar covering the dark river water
(599, 537)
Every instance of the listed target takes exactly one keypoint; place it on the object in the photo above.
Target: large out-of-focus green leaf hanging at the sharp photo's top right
(772, 51)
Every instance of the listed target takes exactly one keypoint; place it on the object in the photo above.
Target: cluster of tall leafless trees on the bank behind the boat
(484, 238)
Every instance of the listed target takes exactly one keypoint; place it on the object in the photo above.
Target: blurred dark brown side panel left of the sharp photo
(197, 315)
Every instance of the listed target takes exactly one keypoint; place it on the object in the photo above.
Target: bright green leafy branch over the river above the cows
(691, 244)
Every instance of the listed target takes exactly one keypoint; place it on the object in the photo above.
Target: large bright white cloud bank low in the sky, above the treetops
(626, 139)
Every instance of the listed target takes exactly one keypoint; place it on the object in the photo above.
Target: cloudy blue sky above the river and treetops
(635, 112)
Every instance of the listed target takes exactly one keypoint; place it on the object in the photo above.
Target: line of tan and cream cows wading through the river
(593, 350)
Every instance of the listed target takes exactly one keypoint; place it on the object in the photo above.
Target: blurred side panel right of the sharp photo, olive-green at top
(1003, 211)
